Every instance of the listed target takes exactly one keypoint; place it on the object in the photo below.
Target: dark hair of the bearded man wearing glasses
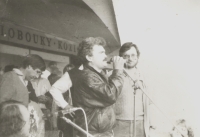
(127, 46)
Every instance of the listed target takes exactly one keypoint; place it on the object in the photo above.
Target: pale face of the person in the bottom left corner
(26, 117)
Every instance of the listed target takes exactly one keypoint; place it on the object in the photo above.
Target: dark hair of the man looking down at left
(35, 61)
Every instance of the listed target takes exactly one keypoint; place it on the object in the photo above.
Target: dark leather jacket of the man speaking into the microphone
(96, 94)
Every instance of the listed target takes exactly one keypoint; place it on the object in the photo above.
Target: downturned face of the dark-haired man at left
(32, 73)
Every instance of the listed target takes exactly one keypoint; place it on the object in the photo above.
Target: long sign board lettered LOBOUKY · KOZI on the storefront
(33, 38)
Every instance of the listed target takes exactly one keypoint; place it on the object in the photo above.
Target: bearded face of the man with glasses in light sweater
(131, 58)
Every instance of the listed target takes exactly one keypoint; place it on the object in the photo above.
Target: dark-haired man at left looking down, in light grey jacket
(13, 84)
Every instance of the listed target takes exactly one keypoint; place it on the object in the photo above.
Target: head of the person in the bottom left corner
(14, 119)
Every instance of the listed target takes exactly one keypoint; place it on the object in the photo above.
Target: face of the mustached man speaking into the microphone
(98, 60)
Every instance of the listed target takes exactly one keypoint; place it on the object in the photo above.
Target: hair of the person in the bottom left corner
(11, 119)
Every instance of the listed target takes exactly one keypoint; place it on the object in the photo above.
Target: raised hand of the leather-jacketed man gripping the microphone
(118, 62)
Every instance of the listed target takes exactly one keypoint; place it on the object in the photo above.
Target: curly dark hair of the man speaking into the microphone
(86, 47)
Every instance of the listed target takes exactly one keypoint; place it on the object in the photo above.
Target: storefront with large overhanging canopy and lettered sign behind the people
(53, 28)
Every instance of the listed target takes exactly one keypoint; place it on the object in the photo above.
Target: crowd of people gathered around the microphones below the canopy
(114, 101)
